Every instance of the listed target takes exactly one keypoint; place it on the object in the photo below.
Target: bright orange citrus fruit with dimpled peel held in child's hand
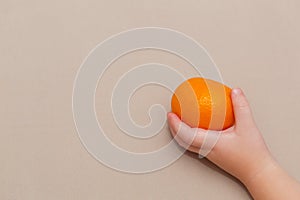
(203, 103)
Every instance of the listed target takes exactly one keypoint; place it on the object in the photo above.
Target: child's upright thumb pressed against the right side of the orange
(242, 110)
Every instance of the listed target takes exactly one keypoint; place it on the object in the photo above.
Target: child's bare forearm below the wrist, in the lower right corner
(273, 183)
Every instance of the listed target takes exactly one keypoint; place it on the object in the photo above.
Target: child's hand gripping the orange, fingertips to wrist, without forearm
(240, 150)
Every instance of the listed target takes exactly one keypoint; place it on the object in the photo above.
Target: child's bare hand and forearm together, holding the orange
(242, 152)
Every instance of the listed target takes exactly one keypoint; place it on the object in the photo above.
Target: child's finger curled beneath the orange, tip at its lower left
(191, 136)
